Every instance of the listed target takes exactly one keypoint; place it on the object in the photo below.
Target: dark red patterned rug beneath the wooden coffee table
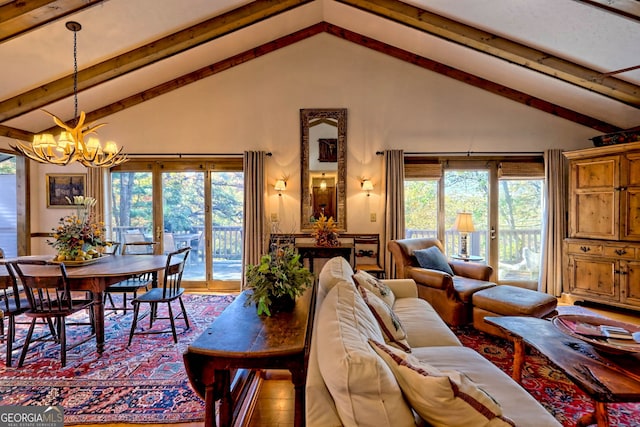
(544, 382)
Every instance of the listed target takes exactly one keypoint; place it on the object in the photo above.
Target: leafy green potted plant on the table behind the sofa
(277, 280)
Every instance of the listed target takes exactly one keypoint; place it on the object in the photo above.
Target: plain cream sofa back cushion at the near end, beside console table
(362, 386)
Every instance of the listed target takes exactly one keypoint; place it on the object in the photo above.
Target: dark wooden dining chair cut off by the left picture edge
(13, 303)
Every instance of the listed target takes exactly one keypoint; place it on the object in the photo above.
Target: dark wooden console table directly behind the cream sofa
(238, 339)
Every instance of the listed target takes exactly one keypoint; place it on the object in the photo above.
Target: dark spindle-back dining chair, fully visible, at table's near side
(46, 286)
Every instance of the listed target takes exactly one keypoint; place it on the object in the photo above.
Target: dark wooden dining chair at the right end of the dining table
(170, 291)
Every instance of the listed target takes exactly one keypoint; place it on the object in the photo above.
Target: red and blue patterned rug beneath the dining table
(143, 383)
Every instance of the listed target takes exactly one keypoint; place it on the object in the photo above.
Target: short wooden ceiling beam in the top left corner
(19, 16)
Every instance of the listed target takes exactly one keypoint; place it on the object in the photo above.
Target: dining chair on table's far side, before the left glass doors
(133, 284)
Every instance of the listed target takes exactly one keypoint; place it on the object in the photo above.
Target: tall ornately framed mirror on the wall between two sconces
(323, 166)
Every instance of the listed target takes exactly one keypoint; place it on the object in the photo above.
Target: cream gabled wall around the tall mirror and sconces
(390, 103)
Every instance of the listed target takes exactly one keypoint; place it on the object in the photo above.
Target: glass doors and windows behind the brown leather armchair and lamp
(504, 199)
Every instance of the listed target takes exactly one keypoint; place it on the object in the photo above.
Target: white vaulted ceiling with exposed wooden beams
(577, 59)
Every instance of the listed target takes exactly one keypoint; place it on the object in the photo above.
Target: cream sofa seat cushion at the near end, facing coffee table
(517, 404)
